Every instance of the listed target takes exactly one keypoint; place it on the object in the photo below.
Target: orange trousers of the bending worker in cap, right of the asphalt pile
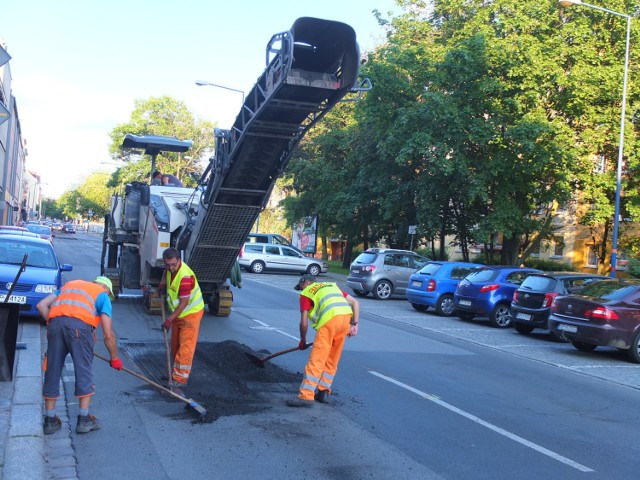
(325, 355)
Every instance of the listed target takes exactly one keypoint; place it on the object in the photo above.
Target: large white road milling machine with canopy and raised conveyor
(309, 69)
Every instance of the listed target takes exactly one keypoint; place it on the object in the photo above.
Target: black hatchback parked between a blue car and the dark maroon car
(532, 300)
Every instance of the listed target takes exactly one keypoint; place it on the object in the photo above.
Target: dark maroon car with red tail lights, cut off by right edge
(605, 313)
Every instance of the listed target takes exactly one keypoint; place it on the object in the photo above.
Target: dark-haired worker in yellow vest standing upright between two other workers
(187, 308)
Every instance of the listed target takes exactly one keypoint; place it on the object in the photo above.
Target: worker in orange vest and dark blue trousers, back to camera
(72, 314)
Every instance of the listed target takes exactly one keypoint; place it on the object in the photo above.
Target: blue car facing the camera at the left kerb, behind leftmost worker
(42, 275)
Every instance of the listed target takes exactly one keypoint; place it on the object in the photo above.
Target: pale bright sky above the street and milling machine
(77, 67)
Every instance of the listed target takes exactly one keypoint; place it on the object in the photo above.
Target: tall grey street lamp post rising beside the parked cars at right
(614, 245)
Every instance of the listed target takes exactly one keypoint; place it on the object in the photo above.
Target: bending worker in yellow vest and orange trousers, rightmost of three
(334, 315)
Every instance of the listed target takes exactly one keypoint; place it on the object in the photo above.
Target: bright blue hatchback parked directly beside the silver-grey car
(434, 285)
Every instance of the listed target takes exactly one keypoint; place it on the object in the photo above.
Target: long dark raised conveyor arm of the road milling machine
(316, 63)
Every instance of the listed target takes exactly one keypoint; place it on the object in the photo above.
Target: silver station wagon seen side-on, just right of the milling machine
(257, 257)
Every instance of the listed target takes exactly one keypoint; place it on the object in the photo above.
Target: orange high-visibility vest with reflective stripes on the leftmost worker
(77, 299)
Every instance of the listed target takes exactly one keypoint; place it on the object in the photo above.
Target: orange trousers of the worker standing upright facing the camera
(184, 337)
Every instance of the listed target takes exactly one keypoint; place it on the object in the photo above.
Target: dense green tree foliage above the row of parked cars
(484, 119)
